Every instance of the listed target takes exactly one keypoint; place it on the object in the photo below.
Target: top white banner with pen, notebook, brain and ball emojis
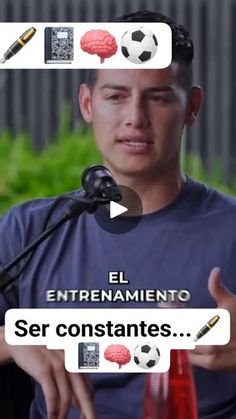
(80, 45)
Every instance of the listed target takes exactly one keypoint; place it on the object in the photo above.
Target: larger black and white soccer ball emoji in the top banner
(139, 45)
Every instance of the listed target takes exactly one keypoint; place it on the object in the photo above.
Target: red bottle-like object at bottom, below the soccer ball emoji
(171, 395)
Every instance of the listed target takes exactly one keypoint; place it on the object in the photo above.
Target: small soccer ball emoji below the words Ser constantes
(146, 356)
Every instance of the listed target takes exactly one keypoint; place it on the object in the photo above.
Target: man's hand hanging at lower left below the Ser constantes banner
(61, 389)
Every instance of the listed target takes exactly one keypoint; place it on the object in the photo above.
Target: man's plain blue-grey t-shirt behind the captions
(173, 248)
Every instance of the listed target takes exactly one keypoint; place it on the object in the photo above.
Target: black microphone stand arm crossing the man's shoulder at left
(74, 210)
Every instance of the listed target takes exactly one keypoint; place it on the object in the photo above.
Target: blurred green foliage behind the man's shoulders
(25, 174)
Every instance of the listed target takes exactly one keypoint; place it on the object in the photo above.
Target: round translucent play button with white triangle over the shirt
(123, 216)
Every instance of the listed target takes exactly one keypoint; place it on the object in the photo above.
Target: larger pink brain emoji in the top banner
(100, 42)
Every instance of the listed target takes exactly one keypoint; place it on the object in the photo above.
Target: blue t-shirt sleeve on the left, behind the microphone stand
(18, 228)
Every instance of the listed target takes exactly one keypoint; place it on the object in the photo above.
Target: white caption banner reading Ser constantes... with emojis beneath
(126, 340)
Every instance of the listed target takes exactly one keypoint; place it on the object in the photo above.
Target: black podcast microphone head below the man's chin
(98, 182)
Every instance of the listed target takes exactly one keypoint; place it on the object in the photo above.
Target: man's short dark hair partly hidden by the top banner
(182, 45)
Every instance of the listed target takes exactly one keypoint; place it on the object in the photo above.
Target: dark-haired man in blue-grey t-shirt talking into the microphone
(187, 230)
